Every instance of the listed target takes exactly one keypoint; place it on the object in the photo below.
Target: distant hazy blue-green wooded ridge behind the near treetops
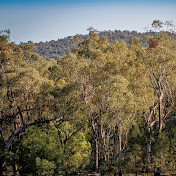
(61, 47)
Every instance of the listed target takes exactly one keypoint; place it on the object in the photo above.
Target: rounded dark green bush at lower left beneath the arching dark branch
(40, 148)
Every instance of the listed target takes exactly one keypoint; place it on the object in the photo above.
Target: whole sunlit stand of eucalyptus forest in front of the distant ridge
(106, 107)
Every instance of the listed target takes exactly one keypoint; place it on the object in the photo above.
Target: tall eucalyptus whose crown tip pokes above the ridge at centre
(83, 67)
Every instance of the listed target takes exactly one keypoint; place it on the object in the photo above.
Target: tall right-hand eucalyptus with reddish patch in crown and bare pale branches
(158, 60)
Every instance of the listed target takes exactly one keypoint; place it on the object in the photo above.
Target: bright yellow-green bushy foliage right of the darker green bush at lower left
(76, 148)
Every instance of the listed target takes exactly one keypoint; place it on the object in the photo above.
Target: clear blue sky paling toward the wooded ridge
(45, 20)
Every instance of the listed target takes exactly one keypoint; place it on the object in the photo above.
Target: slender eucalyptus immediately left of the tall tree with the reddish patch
(145, 94)
